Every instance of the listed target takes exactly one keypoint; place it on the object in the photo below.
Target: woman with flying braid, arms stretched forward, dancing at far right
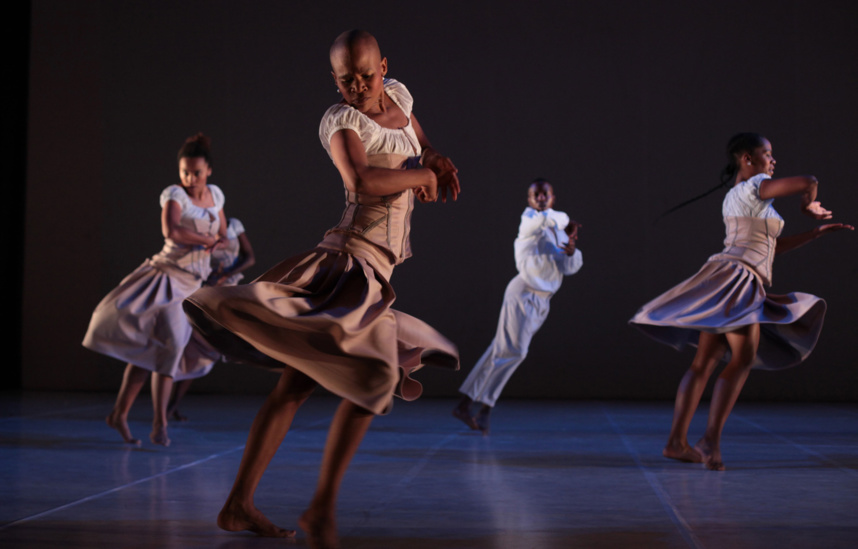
(724, 309)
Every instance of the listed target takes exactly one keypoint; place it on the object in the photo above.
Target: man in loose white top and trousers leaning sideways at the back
(545, 252)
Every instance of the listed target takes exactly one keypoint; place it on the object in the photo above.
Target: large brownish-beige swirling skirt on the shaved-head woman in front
(327, 314)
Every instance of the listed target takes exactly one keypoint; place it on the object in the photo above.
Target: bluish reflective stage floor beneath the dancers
(552, 474)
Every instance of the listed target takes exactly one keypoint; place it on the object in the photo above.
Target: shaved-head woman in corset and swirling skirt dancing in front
(324, 317)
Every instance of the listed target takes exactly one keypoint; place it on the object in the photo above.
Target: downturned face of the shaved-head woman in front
(359, 73)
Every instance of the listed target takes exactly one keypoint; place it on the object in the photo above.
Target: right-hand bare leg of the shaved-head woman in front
(347, 431)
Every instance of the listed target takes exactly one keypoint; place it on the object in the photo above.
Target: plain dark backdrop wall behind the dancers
(624, 106)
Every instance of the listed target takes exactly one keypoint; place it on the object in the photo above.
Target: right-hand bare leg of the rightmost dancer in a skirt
(743, 346)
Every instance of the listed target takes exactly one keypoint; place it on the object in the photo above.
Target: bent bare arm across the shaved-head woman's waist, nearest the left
(358, 176)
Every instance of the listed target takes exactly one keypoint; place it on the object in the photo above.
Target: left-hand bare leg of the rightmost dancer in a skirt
(710, 349)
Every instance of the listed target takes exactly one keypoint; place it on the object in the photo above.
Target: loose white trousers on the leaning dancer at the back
(522, 314)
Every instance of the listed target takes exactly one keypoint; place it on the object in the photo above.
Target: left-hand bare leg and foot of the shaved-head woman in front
(266, 434)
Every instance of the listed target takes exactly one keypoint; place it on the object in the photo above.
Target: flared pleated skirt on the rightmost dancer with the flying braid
(725, 295)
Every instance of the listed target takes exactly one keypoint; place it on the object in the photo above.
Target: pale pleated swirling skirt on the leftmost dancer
(141, 322)
